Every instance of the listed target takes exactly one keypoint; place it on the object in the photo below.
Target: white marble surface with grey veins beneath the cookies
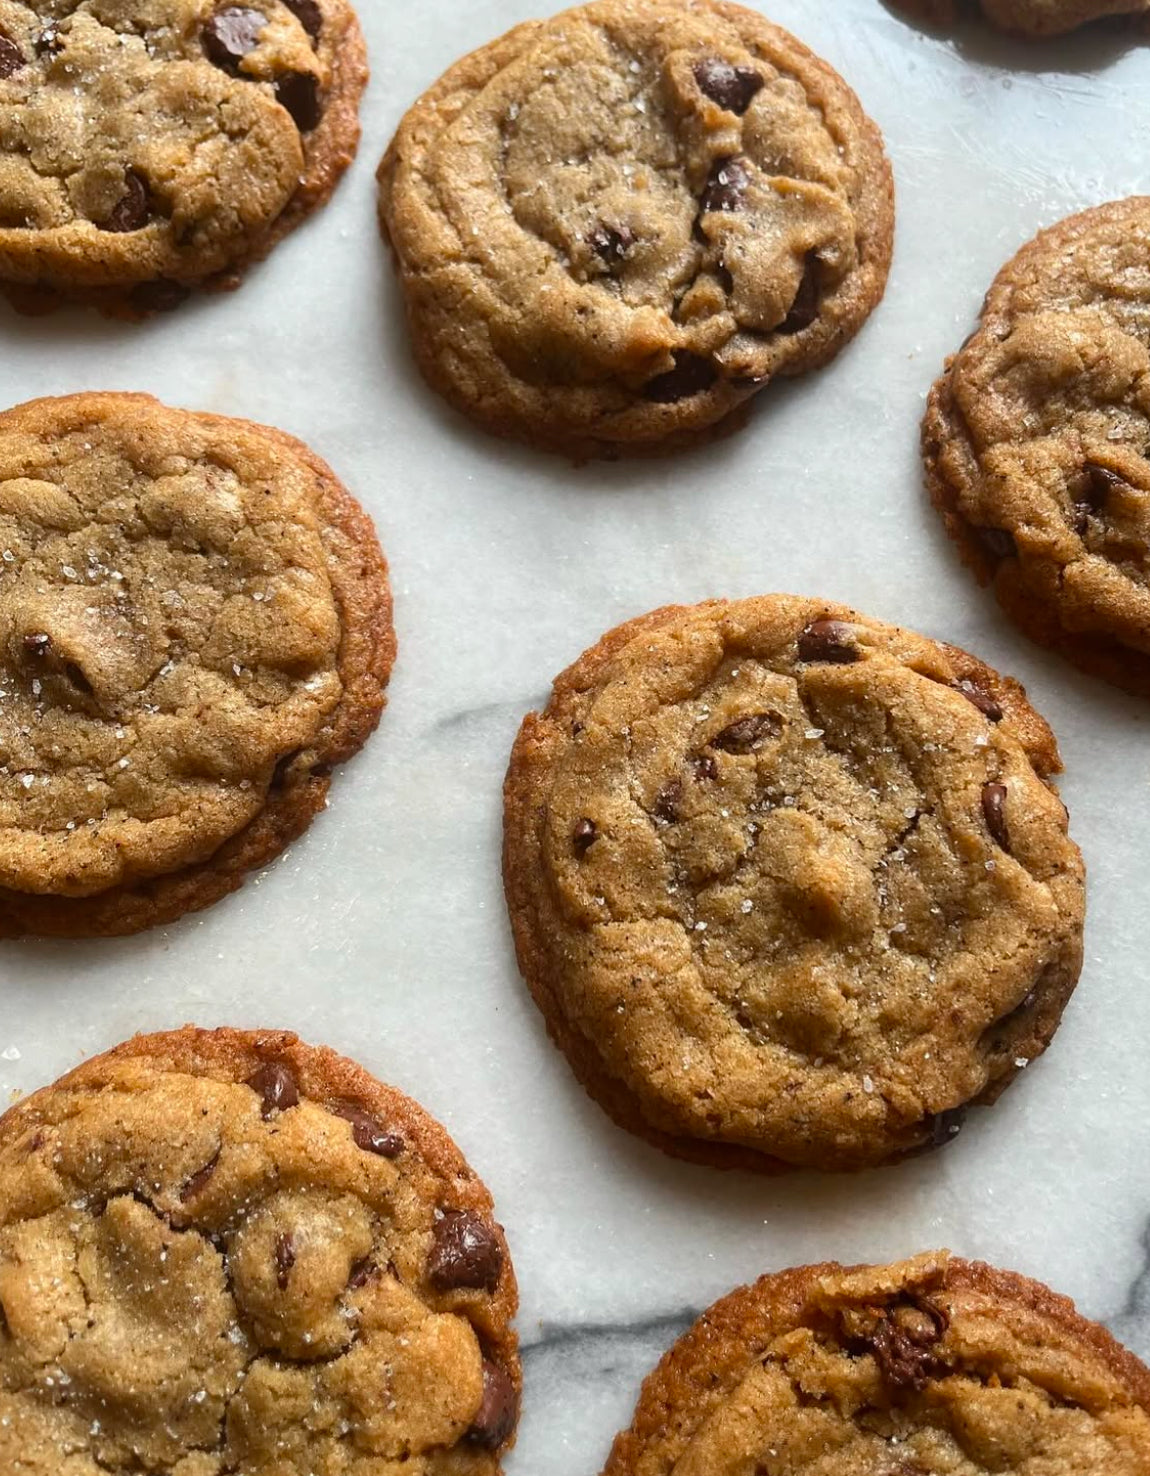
(383, 932)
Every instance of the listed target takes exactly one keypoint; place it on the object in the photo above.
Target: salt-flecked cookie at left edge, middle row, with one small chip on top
(196, 625)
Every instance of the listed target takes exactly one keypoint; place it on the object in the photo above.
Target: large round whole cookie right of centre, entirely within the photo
(792, 888)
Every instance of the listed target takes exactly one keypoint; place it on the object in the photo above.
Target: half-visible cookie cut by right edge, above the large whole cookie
(1037, 441)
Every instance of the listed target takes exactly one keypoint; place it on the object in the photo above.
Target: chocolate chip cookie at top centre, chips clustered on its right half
(615, 227)
